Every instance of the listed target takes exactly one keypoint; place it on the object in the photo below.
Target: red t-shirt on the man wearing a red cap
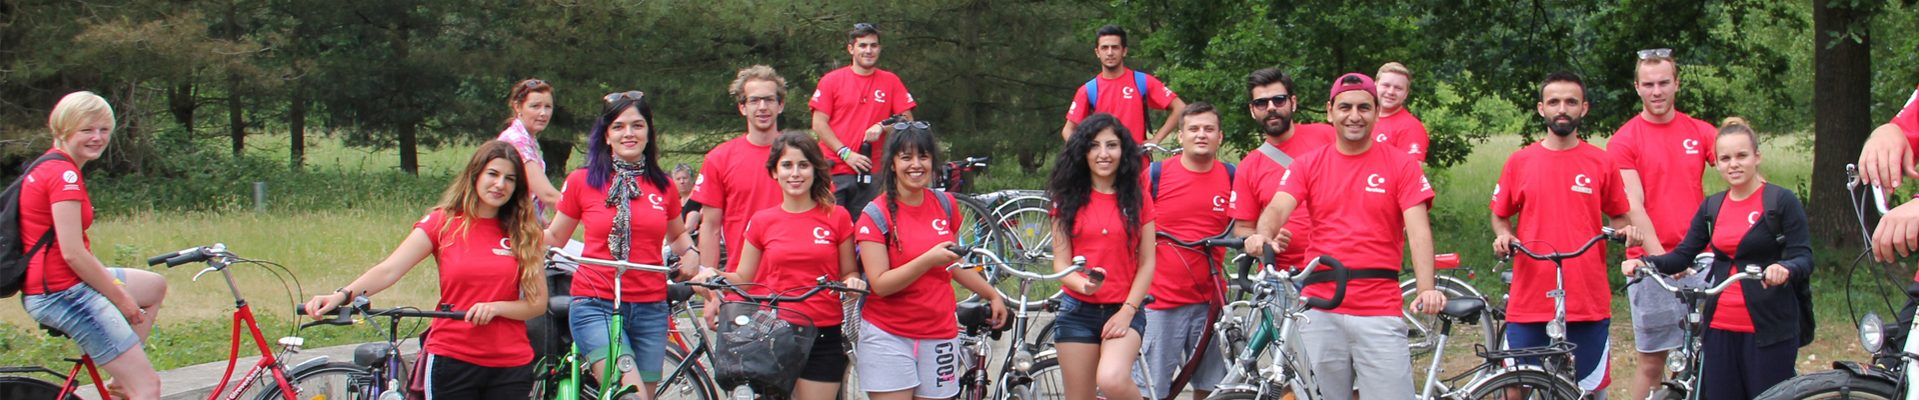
(1360, 218)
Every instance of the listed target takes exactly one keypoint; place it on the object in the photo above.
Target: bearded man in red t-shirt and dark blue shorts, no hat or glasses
(1561, 189)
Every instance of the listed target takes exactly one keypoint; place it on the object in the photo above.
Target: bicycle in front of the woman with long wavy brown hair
(377, 370)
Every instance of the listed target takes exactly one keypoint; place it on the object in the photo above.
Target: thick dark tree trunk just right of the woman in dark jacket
(1843, 78)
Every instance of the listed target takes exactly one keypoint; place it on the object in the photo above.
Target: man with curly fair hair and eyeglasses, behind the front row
(734, 184)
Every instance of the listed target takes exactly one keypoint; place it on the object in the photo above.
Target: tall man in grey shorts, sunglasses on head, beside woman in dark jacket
(1661, 155)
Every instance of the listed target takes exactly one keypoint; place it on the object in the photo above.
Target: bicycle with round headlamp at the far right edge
(1895, 359)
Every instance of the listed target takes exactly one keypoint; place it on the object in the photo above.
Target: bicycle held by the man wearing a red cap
(1279, 307)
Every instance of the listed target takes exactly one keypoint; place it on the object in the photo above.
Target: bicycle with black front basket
(759, 341)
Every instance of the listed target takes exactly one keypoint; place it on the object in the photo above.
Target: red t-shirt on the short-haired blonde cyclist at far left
(49, 184)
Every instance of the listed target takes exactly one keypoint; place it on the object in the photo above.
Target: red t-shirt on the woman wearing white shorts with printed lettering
(916, 228)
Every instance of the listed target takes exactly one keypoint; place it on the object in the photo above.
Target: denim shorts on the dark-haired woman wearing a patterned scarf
(644, 334)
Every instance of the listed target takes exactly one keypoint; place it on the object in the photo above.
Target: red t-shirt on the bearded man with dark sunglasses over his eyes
(1260, 178)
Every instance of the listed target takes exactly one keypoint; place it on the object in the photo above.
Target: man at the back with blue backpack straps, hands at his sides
(1124, 93)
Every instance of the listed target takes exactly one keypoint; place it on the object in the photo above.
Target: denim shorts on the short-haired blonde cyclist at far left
(89, 318)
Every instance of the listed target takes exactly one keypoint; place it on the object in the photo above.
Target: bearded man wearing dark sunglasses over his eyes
(1260, 172)
